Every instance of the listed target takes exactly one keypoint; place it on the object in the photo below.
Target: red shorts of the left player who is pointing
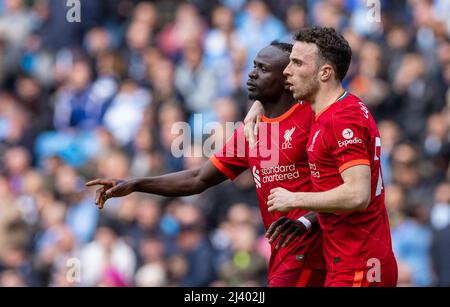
(299, 278)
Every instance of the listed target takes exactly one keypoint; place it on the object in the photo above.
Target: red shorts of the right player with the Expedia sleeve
(387, 277)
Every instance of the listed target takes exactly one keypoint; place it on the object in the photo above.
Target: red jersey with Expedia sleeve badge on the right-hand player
(344, 135)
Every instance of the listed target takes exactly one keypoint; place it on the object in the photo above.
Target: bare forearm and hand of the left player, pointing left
(182, 183)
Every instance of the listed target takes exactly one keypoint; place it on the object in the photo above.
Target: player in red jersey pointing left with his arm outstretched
(279, 160)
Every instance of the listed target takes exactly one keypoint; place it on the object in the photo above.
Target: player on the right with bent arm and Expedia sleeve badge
(344, 159)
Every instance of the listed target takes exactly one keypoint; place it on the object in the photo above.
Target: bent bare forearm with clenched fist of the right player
(352, 195)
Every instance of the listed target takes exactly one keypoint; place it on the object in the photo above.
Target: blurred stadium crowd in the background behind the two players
(98, 99)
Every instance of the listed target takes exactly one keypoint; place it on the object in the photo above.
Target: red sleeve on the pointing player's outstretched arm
(232, 159)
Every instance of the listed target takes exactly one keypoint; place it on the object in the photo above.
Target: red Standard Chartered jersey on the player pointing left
(278, 160)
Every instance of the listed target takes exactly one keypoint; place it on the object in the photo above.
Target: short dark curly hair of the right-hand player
(333, 47)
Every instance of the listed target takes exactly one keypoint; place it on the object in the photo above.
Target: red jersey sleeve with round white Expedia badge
(347, 140)
